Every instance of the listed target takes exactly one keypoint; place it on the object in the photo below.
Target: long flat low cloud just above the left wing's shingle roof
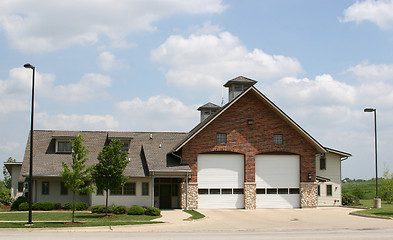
(76, 122)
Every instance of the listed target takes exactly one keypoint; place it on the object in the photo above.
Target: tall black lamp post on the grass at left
(30, 220)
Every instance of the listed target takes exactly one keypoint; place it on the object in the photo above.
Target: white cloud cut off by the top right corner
(378, 12)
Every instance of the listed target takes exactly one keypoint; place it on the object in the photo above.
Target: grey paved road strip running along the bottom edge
(317, 235)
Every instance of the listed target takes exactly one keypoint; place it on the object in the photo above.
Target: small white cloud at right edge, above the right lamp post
(372, 72)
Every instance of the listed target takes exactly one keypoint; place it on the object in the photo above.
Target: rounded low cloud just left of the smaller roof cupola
(158, 113)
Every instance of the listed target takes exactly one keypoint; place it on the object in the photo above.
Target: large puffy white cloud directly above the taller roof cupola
(207, 60)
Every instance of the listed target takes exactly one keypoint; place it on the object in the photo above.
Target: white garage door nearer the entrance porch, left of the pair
(220, 181)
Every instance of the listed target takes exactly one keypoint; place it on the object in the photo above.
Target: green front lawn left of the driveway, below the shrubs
(57, 219)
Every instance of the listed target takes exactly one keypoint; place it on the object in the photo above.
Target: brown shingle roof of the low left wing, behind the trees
(145, 153)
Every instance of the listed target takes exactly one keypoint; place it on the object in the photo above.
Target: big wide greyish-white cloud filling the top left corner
(52, 25)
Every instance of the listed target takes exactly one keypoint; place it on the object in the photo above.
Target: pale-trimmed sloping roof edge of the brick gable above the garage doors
(263, 98)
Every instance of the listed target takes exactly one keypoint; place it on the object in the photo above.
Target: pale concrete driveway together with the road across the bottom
(317, 223)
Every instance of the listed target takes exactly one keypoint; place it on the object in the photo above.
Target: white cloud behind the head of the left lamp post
(15, 92)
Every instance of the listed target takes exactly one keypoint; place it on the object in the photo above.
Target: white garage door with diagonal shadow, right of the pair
(277, 180)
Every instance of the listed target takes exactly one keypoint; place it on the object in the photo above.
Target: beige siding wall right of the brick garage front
(333, 172)
